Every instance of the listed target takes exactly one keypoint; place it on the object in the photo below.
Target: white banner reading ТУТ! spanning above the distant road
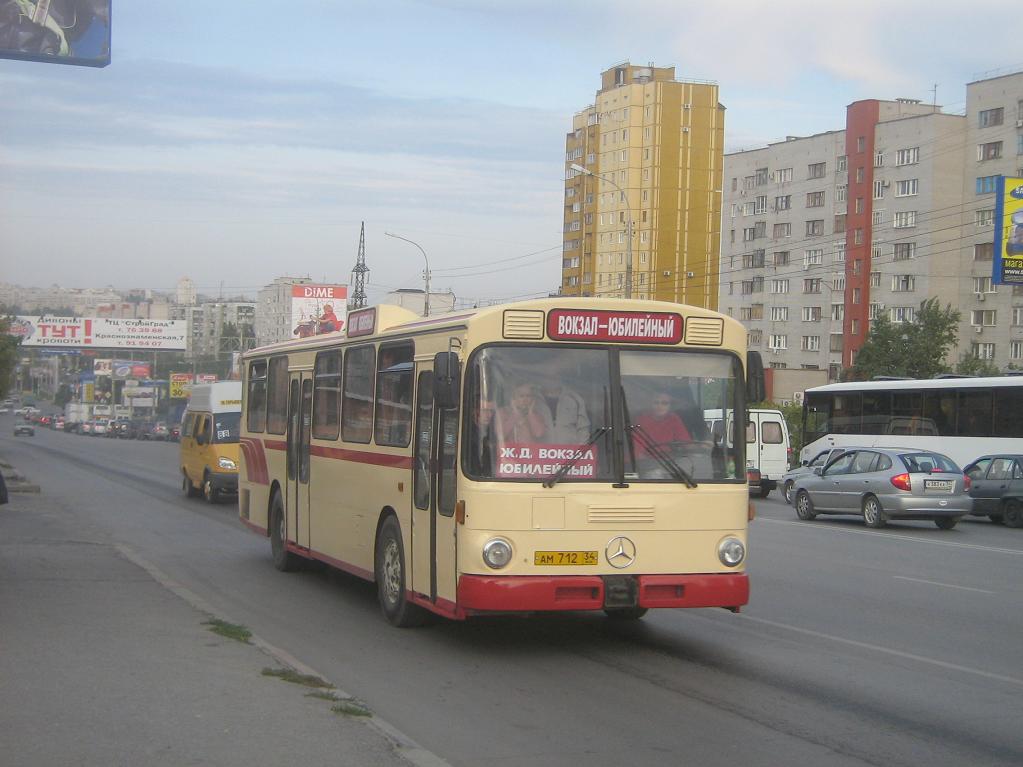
(101, 333)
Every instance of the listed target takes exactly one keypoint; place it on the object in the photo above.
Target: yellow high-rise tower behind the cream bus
(646, 156)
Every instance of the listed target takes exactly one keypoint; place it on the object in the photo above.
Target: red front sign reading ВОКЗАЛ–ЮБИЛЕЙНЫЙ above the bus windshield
(615, 328)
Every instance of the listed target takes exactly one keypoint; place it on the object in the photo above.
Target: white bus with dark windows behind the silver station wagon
(963, 419)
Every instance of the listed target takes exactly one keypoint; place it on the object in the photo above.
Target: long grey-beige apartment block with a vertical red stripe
(825, 234)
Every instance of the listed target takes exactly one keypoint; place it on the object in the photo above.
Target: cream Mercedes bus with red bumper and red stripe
(549, 456)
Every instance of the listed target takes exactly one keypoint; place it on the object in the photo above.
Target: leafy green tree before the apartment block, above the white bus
(915, 349)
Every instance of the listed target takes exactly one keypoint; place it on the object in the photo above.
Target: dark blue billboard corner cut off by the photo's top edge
(71, 32)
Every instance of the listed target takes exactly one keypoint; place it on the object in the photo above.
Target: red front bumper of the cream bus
(527, 594)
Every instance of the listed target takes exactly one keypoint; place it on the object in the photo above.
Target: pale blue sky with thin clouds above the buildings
(234, 144)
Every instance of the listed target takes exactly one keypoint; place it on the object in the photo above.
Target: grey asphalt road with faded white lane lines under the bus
(886, 648)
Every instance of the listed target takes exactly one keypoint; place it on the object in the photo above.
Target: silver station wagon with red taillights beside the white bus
(883, 484)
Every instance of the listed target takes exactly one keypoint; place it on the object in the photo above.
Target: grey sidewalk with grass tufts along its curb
(104, 662)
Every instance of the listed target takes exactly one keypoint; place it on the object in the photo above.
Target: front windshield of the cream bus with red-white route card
(536, 410)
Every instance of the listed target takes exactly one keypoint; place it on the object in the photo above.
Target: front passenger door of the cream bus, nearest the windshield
(434, 464)
